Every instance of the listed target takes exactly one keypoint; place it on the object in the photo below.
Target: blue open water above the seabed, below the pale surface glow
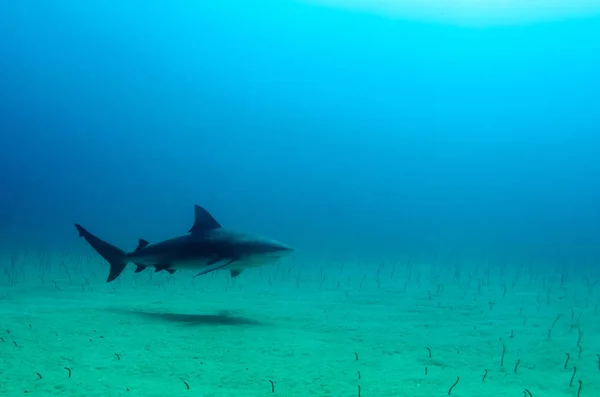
(341, 133)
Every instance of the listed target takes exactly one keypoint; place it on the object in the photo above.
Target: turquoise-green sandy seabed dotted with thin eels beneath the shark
(297, 330)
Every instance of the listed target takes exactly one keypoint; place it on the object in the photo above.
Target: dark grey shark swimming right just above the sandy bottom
(206, 247)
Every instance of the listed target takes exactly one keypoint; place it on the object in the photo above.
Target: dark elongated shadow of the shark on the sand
(221, 318)
